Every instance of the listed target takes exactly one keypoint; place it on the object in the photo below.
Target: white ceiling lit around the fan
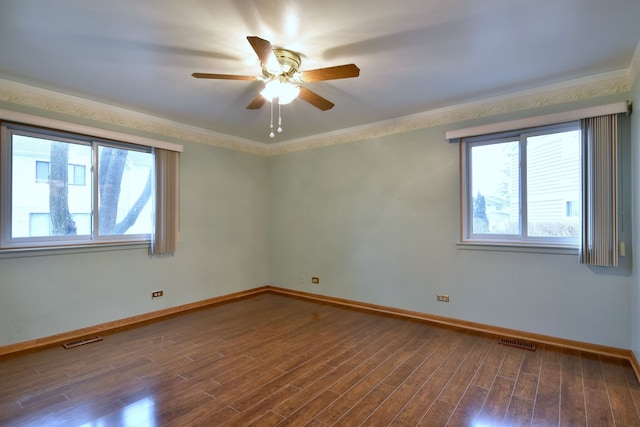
(414, 55)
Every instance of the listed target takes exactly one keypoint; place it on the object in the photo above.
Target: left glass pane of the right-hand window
(495, 195)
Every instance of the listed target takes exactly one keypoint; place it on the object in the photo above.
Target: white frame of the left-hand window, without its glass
(94, 239)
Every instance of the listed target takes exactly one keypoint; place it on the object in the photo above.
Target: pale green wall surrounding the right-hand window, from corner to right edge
(378, 222)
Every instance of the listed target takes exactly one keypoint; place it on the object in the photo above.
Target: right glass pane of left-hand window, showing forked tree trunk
(124, 191)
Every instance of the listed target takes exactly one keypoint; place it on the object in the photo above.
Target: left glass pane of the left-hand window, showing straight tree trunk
(47, 206)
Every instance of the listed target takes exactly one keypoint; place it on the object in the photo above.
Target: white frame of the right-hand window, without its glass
(521, 239)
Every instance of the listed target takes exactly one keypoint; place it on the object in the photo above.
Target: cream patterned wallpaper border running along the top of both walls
(46, 101)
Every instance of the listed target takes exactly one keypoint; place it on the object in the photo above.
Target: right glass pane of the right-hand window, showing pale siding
(553, 185)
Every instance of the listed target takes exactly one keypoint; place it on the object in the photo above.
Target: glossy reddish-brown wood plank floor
(274, 360)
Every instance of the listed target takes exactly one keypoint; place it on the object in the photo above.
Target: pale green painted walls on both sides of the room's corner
(376, 220)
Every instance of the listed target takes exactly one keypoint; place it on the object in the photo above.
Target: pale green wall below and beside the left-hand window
(223, 249)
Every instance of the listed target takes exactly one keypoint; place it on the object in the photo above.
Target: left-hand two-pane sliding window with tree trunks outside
(86, 190)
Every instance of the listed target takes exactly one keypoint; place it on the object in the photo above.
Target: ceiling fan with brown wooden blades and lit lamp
(283, 78)
